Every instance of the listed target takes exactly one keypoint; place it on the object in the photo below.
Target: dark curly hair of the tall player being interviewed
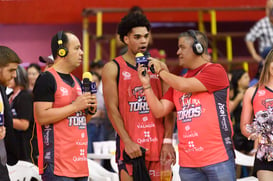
(131, 21)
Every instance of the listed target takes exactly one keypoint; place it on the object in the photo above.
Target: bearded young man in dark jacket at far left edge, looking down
(8, 146)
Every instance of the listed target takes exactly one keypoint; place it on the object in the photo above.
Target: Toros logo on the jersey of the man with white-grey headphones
(191, 108)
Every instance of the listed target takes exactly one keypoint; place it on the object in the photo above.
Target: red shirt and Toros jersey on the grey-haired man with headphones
(204, 125)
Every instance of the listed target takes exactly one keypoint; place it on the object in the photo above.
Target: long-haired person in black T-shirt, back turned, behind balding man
(23, 121)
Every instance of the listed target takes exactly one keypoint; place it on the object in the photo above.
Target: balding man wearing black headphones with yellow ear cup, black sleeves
(59, 110)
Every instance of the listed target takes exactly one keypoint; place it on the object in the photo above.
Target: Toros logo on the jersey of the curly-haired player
(140, 105)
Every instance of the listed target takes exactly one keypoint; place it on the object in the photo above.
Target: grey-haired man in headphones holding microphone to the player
(201, 101)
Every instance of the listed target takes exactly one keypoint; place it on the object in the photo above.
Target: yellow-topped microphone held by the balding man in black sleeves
(88, 86)
